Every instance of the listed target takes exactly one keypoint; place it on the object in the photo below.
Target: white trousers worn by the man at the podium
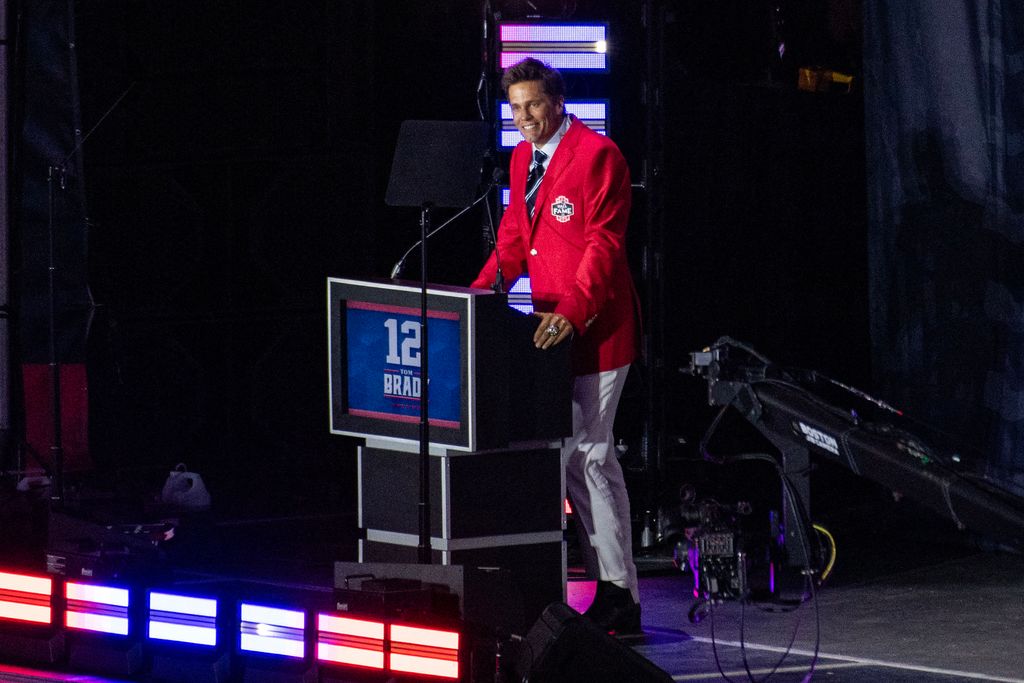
(594, 478)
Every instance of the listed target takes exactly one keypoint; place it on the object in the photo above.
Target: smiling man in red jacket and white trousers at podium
(566, 226)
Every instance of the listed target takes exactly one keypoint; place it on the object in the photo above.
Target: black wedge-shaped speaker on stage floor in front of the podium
(566, 648)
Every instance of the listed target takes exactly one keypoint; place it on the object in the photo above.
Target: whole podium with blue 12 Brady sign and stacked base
(499, 410)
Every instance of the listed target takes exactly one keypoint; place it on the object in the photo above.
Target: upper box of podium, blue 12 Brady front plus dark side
(490, 386)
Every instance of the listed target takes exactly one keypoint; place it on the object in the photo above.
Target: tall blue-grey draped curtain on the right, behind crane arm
(945, 113)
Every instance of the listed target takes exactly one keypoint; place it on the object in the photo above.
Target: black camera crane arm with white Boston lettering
(802, 412)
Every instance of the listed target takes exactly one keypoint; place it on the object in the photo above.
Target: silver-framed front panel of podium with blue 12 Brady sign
(375, 361)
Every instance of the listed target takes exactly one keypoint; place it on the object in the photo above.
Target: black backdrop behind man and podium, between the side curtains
(249, 161)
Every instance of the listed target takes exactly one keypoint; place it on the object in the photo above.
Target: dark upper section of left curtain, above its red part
(51, 192)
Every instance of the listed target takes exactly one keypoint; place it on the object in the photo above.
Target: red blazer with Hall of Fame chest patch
(575, 247)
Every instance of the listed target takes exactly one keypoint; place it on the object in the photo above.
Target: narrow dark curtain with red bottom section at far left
(51, 238)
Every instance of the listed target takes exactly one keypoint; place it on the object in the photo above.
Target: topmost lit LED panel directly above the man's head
(565, 47)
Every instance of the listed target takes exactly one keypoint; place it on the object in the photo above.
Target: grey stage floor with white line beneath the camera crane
(955, 621)
